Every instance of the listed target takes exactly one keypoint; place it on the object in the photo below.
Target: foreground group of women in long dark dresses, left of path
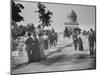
(35, 48)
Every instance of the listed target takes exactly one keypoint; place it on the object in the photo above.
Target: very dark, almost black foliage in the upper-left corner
(16, 9)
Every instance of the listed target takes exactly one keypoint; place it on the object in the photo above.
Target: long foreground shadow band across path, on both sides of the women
(64, 60)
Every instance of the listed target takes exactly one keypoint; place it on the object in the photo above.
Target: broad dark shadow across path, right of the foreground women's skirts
(69, 59)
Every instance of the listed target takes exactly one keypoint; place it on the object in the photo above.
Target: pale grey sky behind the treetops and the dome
(85, 14)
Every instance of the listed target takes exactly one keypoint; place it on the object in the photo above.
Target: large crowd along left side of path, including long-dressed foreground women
(35, 44)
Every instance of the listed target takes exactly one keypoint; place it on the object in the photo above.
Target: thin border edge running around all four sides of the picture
(59, 4)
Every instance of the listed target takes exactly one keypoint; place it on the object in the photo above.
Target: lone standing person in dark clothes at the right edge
(91, 40)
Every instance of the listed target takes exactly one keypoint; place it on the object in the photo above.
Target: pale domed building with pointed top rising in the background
(71, 21)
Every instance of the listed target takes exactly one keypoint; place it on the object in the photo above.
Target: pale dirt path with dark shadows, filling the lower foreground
(60, 58)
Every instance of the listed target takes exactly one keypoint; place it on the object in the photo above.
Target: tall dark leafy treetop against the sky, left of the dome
(45, 17)
